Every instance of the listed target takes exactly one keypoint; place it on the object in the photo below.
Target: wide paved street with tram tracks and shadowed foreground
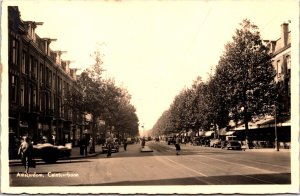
(194, 166)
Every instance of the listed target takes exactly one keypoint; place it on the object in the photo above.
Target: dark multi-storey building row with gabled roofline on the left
(39, 81)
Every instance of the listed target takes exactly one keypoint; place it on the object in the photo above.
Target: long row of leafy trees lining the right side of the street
(242, 87)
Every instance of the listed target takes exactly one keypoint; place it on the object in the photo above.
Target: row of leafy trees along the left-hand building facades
(103, 100)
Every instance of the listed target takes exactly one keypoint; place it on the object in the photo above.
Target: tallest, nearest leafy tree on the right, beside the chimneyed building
(247, 75)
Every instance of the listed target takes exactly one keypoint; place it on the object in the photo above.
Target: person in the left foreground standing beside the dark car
(25, 151)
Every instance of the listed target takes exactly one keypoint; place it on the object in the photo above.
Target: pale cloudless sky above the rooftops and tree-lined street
(154, 49)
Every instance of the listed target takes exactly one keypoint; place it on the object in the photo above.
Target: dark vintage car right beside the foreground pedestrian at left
(51, 153)
